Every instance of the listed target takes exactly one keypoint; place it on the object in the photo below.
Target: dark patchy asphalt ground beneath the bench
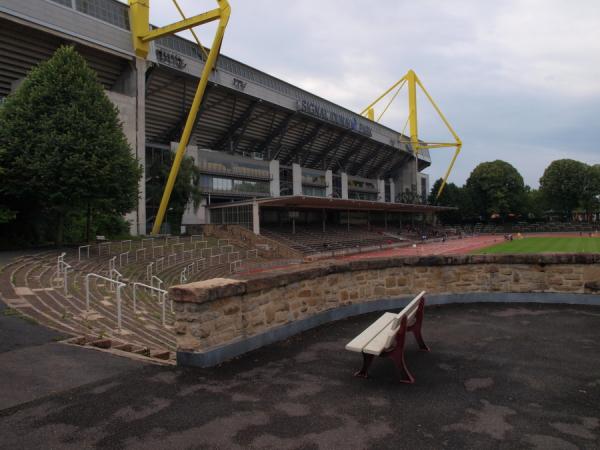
(497, 376)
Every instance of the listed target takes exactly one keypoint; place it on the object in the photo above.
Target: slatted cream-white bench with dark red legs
(386, 338)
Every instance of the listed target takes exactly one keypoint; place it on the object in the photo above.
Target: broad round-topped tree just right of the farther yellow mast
(496, 187)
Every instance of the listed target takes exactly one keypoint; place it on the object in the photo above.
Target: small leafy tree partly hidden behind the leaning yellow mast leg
(185, 189)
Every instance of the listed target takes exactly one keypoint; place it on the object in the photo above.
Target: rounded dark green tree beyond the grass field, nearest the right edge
(564, 185)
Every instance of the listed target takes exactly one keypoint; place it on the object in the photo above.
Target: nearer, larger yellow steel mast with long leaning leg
(142, 35)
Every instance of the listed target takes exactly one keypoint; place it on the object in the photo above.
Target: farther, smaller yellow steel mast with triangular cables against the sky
(413, 82)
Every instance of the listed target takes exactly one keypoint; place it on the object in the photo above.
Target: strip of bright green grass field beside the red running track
(546, 245)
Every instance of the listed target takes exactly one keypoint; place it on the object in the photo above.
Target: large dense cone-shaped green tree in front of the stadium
(64, 150)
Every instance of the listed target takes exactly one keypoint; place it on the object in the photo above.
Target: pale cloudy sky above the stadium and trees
(518, 79)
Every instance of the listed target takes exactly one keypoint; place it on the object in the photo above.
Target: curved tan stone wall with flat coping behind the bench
(216, 314)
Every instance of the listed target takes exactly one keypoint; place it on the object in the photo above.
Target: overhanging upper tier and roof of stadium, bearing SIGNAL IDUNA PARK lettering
(244, 111)
